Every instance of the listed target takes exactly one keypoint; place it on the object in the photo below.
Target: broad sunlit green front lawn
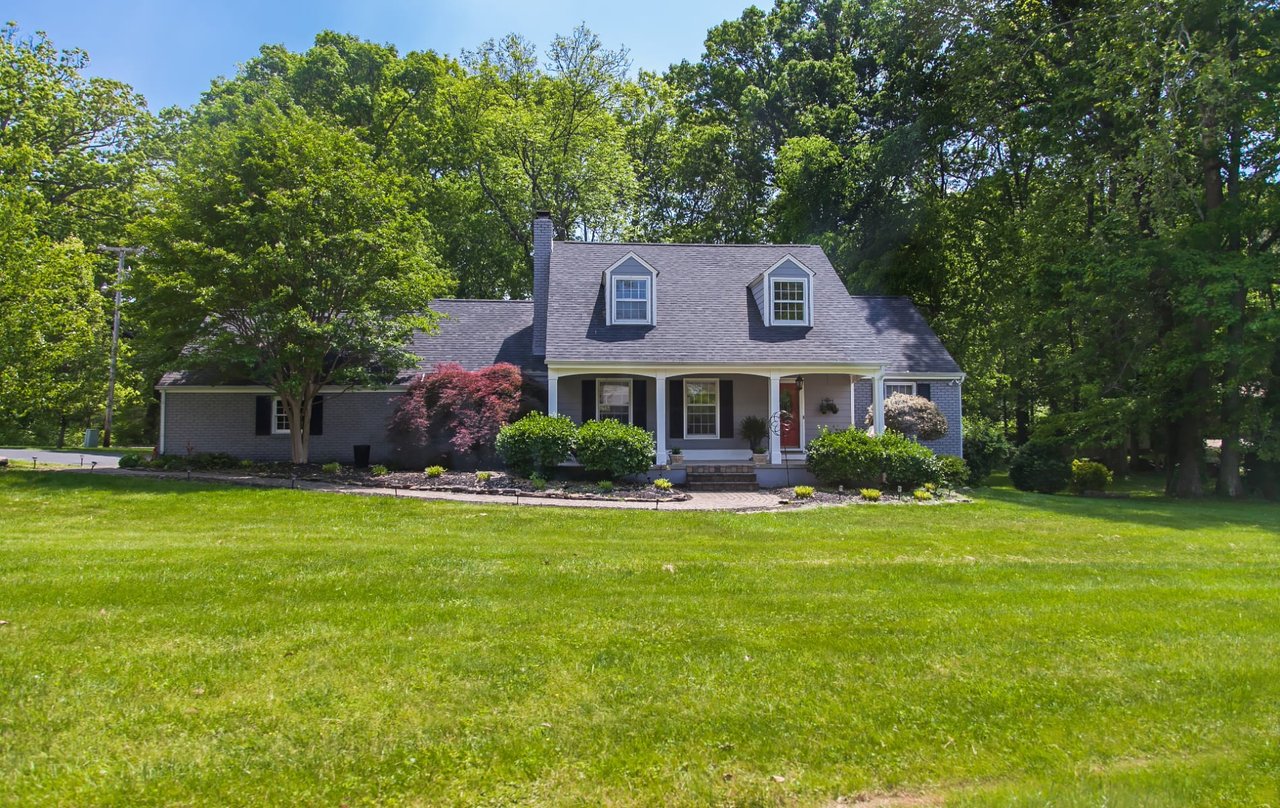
(175, 643)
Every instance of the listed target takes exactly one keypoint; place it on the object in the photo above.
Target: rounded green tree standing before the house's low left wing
(289, 255)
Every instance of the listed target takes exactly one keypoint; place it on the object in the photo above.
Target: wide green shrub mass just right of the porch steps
(853, 458)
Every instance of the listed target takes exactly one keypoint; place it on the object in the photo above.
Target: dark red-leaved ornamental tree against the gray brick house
(469, 407)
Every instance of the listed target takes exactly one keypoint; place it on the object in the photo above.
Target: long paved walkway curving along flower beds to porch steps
(698, 501)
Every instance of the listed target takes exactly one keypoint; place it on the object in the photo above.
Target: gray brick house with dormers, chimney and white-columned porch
(683, 340)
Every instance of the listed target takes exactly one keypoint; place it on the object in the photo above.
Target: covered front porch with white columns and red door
(700, 409)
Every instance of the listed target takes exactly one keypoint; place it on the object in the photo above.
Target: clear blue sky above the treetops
(172, 51)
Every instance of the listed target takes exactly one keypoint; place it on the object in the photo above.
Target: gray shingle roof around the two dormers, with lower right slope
(706, 312)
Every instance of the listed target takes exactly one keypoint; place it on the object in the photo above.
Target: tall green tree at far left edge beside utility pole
(72, 150)
